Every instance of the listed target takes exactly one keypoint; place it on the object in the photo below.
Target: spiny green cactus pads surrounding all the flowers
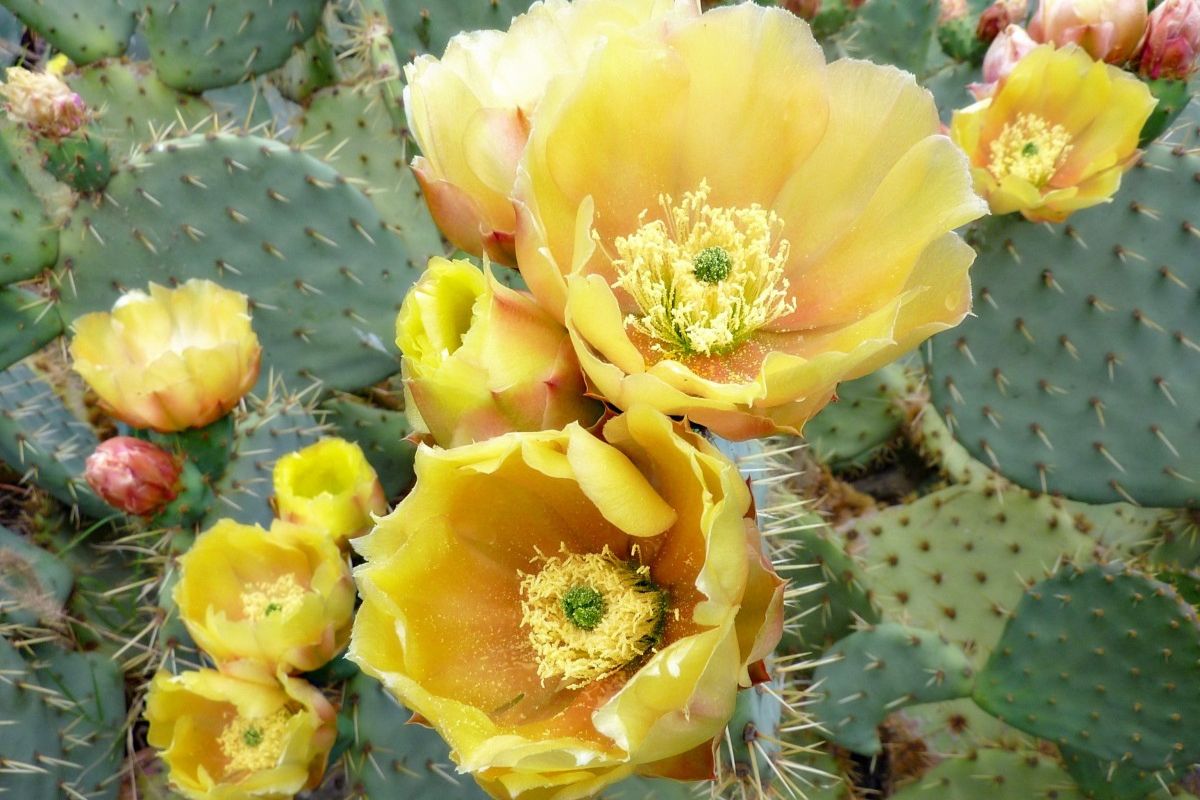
(994, 546)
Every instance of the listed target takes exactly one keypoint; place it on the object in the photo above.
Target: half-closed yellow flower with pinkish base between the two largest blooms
(482, 359)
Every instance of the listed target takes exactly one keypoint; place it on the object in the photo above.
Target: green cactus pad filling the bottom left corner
(62, 725)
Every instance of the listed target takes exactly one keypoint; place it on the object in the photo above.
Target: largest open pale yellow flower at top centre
(730, 227)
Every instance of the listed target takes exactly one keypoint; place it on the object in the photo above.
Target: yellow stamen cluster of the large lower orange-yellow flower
(590, 616)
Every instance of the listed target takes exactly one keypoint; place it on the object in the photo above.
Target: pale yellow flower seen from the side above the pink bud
(172, 359)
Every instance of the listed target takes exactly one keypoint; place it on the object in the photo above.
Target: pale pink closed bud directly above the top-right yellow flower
(1108, 29)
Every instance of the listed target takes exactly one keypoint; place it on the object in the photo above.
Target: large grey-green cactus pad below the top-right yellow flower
(1077, 375)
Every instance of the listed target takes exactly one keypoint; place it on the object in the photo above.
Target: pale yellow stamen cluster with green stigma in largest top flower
(704, 279)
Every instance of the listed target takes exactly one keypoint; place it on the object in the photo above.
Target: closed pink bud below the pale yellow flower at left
(134, 476)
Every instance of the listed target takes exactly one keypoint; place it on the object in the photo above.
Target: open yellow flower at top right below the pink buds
(1057, 136)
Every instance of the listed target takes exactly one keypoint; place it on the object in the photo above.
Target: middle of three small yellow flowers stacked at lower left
(260, 601)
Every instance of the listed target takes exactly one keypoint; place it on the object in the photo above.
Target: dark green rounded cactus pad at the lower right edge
(1105, 661)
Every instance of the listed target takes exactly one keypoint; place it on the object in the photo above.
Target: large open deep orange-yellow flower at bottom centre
(568, 612)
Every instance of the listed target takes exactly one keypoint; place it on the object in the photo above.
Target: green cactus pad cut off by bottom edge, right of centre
(995, 775)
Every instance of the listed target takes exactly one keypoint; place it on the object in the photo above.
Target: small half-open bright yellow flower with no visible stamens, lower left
(329, 486)
